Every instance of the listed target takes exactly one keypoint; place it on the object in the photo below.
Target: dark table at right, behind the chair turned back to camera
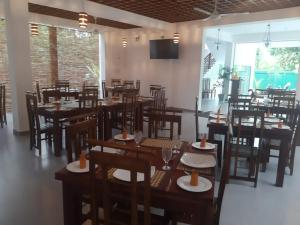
(283, 135)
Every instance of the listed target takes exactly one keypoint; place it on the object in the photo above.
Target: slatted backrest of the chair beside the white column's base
(32, 110)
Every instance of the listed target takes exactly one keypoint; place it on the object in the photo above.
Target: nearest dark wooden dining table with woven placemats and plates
(166, 195)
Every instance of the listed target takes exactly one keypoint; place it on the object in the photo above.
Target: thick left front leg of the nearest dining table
(71, 206)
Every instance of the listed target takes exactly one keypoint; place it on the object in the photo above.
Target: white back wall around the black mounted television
(179, 76)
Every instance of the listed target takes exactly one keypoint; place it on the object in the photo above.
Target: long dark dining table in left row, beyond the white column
(68, 109)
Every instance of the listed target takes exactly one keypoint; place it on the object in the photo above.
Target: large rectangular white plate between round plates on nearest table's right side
(198, 160)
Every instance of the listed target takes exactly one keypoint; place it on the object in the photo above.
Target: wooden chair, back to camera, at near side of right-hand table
(243, 144)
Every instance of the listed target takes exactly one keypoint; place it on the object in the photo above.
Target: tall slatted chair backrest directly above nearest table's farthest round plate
(129, 112)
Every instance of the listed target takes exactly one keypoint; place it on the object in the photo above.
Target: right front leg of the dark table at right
(283, 156)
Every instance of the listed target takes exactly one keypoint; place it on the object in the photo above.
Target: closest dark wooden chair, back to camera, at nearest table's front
(114, 213)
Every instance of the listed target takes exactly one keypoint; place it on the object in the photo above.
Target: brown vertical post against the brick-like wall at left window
(53, 54)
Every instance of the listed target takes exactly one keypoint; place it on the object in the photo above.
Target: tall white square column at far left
(19, 61)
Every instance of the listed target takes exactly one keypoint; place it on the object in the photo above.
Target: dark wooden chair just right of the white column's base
(36, 128)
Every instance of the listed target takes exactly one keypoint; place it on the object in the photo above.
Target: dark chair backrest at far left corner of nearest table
(77, 135)
